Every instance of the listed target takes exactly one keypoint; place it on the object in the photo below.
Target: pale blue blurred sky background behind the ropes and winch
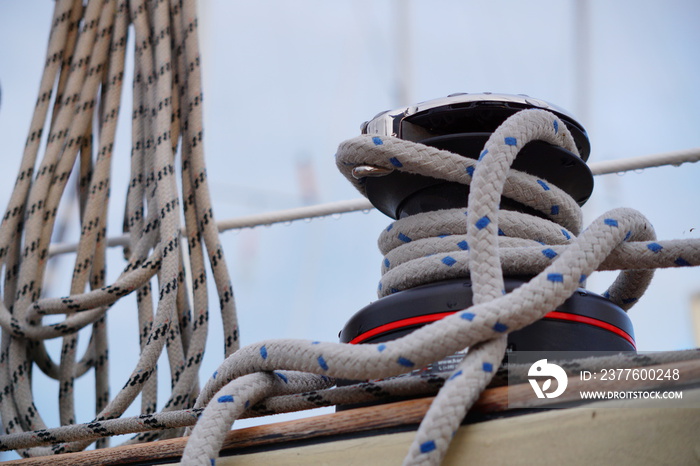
(286, 81)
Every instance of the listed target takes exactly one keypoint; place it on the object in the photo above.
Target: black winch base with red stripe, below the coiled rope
(584, 322)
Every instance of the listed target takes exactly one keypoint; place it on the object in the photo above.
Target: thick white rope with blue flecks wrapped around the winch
(482, 328)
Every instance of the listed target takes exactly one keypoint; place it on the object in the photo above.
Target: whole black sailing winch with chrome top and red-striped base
(462, 123)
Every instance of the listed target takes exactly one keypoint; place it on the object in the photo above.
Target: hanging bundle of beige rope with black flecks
(84, 70)
